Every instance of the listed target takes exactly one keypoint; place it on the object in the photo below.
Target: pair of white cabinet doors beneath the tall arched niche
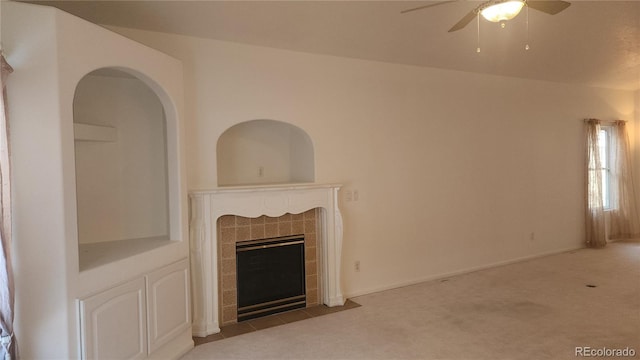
(135, 319)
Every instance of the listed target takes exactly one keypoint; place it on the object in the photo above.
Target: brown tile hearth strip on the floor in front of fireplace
(273, 320)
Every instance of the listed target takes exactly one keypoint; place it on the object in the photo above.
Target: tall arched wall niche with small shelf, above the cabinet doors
(124, 130)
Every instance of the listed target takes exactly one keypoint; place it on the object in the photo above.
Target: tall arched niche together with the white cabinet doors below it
(126, 215)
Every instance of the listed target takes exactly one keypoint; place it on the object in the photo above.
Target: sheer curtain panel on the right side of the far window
(623, 216)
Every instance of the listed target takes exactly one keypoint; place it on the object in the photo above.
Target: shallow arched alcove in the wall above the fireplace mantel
(260, 152)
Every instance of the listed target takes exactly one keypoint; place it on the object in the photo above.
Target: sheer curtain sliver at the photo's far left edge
(8, 348)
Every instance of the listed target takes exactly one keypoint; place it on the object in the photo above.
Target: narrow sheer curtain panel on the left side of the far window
(594, 214)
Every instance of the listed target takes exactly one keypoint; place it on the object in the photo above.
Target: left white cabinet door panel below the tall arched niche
(113, 323)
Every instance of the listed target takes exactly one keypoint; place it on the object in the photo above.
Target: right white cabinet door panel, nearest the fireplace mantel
(168, 303)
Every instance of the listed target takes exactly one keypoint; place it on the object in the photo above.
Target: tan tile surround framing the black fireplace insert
(232, 229)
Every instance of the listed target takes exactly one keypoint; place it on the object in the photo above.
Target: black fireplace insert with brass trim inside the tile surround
(271, 276)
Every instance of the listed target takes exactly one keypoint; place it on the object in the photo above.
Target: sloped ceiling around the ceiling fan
(595, 43)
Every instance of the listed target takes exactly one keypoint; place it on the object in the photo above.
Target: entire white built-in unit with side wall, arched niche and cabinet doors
(100, 190)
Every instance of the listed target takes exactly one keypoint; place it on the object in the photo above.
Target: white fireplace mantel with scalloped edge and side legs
(272, 200)
